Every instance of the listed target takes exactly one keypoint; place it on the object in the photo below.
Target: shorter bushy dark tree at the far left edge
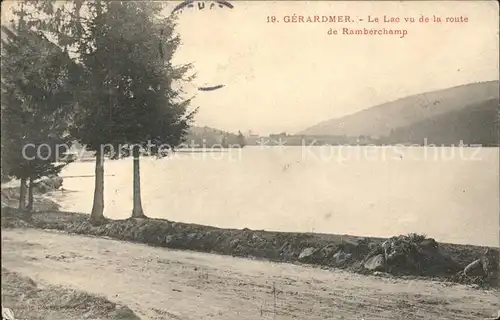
(35, 105)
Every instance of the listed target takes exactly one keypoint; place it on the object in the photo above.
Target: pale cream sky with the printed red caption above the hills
(285, 77)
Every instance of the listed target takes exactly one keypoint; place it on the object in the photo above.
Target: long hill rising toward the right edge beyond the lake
(420, 113)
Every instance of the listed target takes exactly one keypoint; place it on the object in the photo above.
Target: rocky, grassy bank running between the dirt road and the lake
(424, 258)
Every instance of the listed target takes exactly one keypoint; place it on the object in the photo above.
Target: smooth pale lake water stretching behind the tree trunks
(451, 194)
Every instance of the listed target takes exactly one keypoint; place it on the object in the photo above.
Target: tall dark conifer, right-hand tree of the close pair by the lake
(140, 107)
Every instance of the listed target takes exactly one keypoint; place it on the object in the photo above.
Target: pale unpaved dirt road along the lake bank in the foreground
(158, 283)
